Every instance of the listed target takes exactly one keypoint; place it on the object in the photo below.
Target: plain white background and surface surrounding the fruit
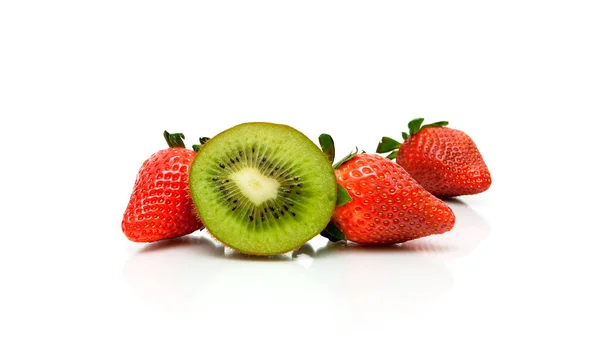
(87, 87)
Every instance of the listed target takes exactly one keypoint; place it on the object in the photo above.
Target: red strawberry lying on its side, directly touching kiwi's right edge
(380, 203)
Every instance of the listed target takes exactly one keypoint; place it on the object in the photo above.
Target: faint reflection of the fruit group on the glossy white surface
(341, 284)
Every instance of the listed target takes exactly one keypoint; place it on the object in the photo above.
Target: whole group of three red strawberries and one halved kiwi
(266, 189)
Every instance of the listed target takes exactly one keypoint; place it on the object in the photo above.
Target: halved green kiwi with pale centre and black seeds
(263, 188)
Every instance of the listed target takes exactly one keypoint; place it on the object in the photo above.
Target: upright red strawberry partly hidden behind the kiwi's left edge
(160, 206)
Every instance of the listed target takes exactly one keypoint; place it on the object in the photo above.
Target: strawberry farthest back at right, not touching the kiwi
(445, 161)
